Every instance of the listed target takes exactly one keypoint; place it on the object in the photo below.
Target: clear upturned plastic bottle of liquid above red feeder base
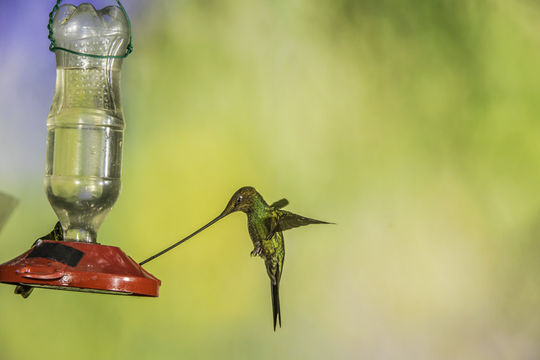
(85, 125)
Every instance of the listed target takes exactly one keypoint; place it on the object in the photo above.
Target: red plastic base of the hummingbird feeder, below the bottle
(79, 266)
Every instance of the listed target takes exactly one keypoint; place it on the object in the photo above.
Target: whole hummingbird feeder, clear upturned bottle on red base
(85, 130)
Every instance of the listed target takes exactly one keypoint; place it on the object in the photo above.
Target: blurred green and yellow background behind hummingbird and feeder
(412, 124)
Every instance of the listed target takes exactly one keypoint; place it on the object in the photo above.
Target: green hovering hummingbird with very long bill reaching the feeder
(266, 224)
